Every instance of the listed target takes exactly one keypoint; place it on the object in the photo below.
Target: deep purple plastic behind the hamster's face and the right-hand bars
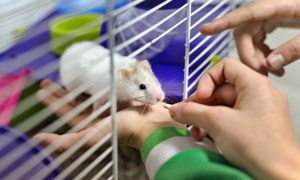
(169, 64)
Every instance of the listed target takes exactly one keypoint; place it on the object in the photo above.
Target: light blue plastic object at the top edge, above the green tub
(70, 6)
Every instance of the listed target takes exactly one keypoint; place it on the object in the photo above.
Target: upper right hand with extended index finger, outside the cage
(253, 22)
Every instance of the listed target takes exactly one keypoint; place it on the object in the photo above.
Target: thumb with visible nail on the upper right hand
(284, 54)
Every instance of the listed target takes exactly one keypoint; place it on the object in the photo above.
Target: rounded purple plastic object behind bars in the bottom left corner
(19, 143)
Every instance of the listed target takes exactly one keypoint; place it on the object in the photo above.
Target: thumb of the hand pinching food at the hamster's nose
(210, 118)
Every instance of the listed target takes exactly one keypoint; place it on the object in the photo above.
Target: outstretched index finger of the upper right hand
(252, 12)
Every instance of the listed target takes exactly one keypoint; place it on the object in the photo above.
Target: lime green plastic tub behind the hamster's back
(66, 30)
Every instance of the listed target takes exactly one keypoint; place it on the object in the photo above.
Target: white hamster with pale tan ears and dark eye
(88, 61)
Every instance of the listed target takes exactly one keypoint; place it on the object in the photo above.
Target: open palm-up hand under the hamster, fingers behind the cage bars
(134, 124)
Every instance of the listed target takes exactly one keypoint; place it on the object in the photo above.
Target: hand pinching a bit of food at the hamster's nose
(251, 126)
